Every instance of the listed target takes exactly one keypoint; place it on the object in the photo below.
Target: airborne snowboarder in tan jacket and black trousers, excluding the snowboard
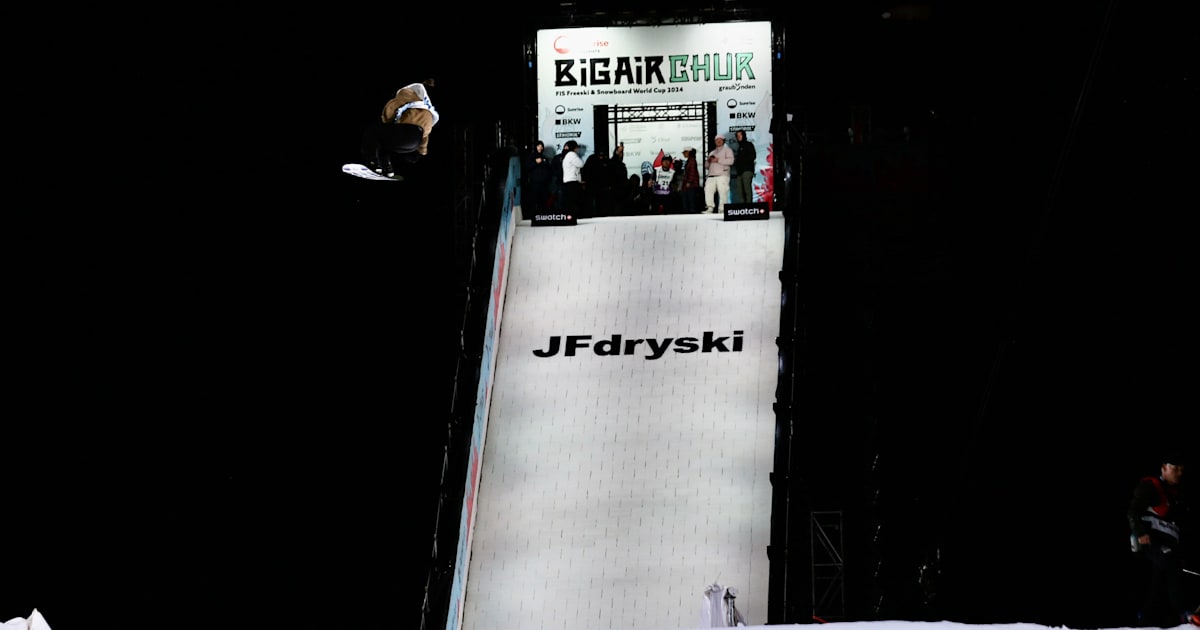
(404, 129)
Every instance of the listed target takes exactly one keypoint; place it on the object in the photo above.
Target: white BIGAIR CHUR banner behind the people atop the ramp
(658, 89)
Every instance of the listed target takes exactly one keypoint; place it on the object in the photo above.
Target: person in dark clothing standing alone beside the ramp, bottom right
(1156, 521)
